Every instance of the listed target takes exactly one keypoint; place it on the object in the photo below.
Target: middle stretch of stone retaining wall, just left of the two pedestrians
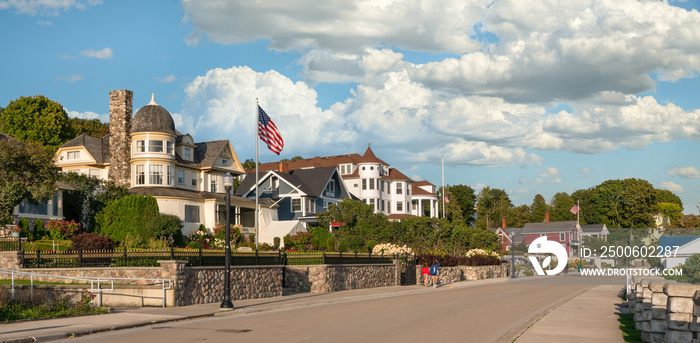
(332, 278)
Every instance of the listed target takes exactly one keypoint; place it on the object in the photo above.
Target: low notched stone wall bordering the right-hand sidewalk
(664, 310)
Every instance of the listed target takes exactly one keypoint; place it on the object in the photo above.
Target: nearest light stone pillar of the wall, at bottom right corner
(679, 310)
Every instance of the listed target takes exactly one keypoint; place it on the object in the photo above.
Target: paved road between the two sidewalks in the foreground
(497, 312)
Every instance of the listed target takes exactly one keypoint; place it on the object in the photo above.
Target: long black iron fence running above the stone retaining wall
(194, 257)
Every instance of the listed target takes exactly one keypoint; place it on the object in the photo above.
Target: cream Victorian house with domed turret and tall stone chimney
(150, 157)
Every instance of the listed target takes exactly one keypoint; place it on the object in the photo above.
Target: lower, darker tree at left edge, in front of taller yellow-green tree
(26, 171)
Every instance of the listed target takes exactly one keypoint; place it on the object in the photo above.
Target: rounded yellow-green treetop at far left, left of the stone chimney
(36, 119)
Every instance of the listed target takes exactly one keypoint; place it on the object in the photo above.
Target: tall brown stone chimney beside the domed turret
(120, 112)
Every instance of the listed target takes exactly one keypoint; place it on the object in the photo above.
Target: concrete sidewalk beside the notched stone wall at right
(591, 316)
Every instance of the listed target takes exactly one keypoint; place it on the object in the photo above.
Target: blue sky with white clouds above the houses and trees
(527, 96)
